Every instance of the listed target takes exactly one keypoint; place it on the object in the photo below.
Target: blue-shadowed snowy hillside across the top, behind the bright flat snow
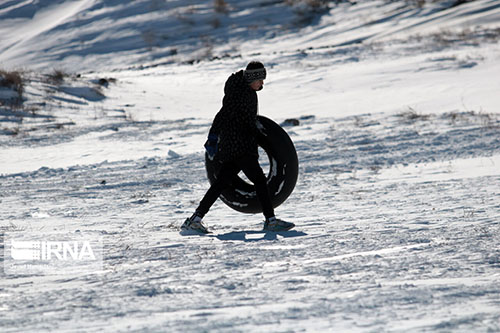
(95, 35)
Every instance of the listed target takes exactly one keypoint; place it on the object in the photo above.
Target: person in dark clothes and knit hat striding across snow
(232, 142)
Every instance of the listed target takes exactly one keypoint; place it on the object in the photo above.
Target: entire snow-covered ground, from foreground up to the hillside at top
(397, 204)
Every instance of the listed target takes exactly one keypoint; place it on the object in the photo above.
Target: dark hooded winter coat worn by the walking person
(235, 123)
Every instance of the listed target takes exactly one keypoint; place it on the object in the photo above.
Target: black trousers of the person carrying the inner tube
(229, 170)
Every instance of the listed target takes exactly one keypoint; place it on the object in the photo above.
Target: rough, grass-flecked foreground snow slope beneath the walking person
(409, 247)
